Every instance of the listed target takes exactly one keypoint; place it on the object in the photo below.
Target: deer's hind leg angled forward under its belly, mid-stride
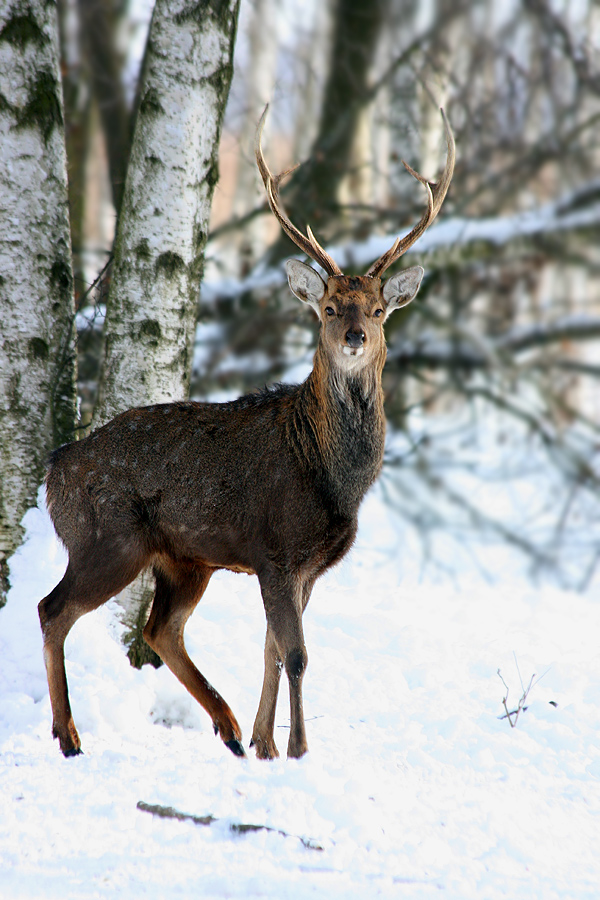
(178, 590)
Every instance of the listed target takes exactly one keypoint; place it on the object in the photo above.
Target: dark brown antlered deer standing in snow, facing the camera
(269, 484)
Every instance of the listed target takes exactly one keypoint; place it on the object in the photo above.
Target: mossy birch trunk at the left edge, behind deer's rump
(37, 356)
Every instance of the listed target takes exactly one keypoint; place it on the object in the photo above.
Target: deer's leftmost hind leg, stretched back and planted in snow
(84, 587)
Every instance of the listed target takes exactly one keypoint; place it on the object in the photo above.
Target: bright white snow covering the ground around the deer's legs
(414, 786)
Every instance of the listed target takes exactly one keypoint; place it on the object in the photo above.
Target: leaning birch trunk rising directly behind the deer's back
(163, 226)
